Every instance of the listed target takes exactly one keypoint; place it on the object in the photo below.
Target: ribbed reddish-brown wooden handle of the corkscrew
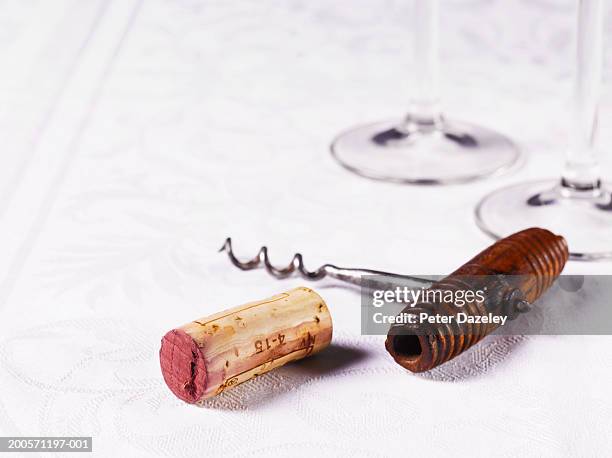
(533, 258)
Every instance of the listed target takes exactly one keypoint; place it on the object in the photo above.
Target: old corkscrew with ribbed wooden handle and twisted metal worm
(515, 271)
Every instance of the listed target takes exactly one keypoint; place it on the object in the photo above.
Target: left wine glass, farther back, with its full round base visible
(425, 147)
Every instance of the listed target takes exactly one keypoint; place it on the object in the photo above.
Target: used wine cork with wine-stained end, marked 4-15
(207, 356)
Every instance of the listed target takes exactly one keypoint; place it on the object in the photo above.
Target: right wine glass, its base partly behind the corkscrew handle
(578, 205)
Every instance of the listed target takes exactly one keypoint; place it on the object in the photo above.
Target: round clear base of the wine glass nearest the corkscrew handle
(584, 218)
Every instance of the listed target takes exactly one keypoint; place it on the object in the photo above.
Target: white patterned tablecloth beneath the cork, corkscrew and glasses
(137, 135)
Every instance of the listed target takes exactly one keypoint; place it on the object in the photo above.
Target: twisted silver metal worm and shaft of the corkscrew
(361, 277)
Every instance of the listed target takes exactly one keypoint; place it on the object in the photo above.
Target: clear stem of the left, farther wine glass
(424, 106)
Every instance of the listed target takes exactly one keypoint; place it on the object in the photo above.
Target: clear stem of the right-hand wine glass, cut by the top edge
(581, 170)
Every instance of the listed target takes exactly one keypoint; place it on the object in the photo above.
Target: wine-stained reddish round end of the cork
(183, 366)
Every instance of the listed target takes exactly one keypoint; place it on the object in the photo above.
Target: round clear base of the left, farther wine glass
(451, 152)
